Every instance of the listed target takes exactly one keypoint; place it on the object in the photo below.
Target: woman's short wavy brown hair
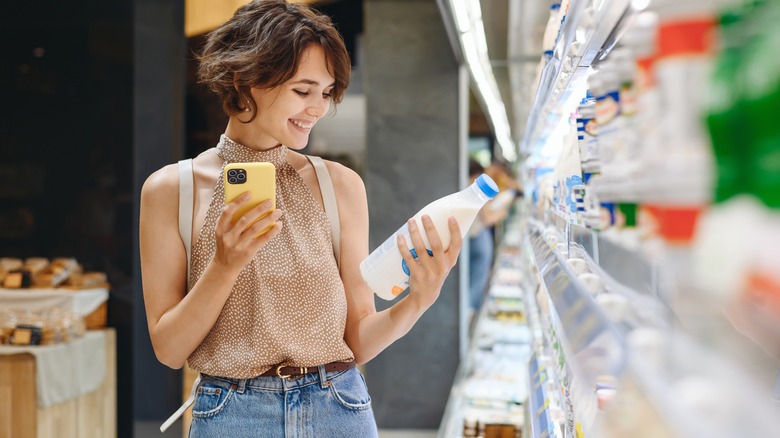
(261, 46)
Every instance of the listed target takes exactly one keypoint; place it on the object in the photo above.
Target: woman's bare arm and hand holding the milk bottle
(368, 332)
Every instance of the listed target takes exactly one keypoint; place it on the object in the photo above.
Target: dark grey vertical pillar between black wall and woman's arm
(158, 139)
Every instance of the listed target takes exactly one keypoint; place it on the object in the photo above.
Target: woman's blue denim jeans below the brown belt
(323, 404)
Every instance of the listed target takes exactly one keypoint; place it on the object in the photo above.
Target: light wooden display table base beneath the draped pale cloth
(89, 415)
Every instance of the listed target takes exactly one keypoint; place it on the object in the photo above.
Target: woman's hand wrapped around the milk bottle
(428, 272)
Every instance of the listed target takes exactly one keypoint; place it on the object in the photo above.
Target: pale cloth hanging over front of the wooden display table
(66, 371)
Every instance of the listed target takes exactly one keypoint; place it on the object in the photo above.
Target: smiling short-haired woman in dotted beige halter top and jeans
(274, 324)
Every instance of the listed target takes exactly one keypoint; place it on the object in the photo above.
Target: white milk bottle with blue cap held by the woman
(385, 271)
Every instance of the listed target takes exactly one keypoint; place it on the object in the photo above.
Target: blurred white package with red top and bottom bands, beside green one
(683, 160)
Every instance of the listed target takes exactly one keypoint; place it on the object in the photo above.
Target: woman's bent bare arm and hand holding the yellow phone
(179, 321)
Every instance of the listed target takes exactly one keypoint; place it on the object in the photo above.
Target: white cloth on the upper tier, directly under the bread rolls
(37, 300)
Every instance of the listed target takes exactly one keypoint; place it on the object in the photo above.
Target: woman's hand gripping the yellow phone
(238, 243)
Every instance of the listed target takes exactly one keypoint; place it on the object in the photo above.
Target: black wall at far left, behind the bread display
(66, 81)
